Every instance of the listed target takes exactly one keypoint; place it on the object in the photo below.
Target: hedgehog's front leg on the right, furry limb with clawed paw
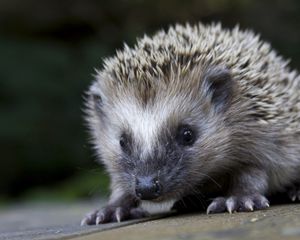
(246, 193)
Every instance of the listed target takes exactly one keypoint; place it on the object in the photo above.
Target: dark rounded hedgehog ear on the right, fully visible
(218, 86)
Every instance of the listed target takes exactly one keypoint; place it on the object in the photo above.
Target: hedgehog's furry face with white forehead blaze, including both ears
(164, 147)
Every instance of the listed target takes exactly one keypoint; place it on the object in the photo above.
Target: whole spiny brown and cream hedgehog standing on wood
(195, 112)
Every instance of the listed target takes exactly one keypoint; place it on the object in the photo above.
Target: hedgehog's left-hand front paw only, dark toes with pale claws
(113, 214)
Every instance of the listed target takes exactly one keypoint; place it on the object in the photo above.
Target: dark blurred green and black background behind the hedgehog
(48, 52)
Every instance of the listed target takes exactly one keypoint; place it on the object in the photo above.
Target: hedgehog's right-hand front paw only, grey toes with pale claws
(232, 204)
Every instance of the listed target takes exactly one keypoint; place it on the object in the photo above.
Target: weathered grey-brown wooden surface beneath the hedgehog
(61, 221)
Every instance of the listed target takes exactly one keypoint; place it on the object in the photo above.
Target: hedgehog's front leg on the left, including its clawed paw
(121, 207)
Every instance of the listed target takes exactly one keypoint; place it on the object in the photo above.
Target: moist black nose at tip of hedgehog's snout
(147, 188)
